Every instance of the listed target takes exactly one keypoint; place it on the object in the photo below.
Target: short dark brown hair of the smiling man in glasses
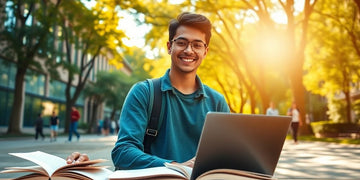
(196, 21)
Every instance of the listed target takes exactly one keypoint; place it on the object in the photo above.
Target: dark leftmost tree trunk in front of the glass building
(16, 111)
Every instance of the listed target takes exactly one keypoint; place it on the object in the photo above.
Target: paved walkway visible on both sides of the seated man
(306, 160)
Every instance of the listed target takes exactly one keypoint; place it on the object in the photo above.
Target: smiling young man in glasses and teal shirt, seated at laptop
(187, 101)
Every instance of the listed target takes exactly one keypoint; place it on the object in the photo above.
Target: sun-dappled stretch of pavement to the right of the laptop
(319, 160)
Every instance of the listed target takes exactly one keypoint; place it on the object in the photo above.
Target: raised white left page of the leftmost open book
(49, 162)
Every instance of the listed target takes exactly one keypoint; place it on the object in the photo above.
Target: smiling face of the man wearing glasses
(186, 60)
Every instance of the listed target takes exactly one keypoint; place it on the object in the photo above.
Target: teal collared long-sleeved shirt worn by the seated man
(180, 130)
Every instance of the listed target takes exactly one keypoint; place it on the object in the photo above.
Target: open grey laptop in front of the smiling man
(241, 141)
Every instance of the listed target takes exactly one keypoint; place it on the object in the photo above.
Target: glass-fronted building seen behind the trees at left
(43, 93)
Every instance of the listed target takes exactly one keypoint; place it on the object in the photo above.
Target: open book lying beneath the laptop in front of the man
(178, 171)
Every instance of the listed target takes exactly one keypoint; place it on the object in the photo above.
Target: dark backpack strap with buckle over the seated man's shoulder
(153, 123)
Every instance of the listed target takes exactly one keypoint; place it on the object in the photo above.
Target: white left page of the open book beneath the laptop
(155, 172)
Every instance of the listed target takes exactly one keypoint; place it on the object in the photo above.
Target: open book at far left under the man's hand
(53, 167)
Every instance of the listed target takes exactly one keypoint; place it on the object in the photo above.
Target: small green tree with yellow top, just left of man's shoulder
(112, 87)
